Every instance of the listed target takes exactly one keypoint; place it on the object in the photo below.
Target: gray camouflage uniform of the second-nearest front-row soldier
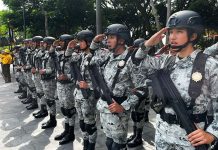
(115, 126)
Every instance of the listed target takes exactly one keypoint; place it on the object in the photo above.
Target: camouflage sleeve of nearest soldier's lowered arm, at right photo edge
(213, 82)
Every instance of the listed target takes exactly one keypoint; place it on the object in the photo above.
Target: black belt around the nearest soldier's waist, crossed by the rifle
(173, 119)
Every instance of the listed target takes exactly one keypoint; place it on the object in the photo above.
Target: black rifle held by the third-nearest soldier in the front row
(75, 69)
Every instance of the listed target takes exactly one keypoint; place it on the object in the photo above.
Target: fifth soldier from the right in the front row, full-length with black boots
(48, 74)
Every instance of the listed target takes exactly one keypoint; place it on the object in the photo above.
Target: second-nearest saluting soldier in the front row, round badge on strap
(116, 72)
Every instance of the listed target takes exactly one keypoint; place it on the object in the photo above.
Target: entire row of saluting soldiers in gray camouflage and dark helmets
(84, 73)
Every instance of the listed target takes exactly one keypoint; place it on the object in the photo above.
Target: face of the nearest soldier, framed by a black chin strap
(178, 36)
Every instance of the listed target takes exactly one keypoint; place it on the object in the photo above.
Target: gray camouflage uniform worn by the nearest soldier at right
(172, 136)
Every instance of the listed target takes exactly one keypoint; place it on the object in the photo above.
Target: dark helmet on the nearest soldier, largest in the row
(186, 19)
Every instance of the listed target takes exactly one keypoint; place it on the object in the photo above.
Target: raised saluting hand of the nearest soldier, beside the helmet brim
(156, 38)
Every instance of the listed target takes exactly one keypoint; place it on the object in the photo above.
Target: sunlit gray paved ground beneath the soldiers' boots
(20, 131)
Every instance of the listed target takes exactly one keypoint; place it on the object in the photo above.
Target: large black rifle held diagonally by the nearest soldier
(166, 90)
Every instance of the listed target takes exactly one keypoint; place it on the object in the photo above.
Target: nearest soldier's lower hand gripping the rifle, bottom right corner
(199, 137)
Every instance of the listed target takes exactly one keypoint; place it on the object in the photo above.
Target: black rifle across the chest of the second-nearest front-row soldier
(105, 92)
